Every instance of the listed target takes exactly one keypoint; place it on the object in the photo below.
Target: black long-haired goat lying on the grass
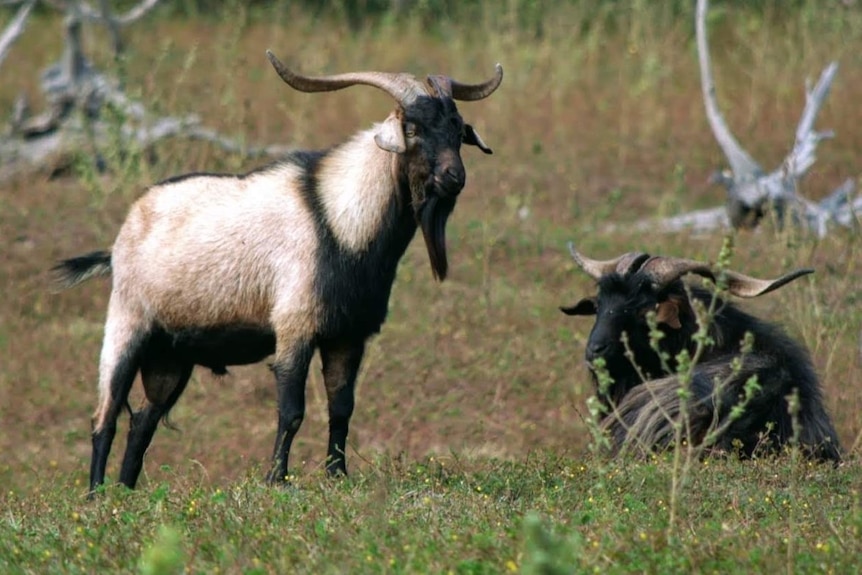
(643, 400)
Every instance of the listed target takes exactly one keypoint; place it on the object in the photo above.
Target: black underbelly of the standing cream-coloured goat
(217, 347)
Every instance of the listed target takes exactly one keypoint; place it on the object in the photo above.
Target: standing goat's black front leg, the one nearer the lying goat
(341, 360)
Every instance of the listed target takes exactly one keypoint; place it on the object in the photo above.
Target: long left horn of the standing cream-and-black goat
(403, 87)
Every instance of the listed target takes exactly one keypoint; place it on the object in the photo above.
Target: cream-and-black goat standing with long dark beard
(220, 270)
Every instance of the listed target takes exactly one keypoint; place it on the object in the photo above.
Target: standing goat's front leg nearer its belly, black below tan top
(291, 371)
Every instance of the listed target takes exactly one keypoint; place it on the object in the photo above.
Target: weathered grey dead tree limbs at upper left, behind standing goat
(77, 97)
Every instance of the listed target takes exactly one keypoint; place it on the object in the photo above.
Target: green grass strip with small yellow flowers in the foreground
(544, 513)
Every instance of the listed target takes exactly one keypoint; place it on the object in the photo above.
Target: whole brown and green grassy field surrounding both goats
(470, 444)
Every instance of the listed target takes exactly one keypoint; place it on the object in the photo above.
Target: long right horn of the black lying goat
(663, 271)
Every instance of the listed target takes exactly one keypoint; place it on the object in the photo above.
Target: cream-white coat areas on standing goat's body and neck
(212, 250)
